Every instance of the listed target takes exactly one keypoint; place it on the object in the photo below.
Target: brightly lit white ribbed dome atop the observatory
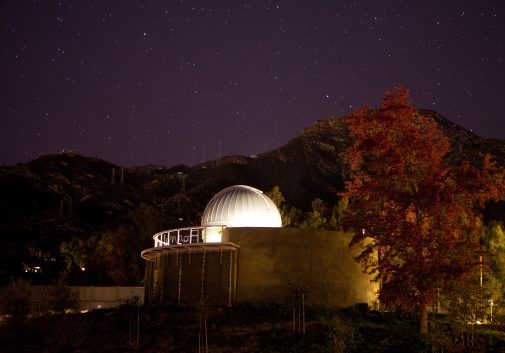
(241, 206)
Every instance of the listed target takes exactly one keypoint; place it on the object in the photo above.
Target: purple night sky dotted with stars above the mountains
(168, 82)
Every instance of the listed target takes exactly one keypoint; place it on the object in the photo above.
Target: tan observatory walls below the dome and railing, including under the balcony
(268, 265)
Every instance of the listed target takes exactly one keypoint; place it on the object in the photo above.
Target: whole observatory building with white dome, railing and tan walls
(241, 253)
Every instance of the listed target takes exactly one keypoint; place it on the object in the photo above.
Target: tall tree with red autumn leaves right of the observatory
(415, 217)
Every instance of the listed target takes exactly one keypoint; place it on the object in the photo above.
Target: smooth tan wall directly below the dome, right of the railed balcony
(274, 263)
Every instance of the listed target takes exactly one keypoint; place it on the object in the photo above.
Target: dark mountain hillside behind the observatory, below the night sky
(65, 196)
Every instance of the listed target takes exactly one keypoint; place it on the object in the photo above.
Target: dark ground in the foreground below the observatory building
(243, 328)
